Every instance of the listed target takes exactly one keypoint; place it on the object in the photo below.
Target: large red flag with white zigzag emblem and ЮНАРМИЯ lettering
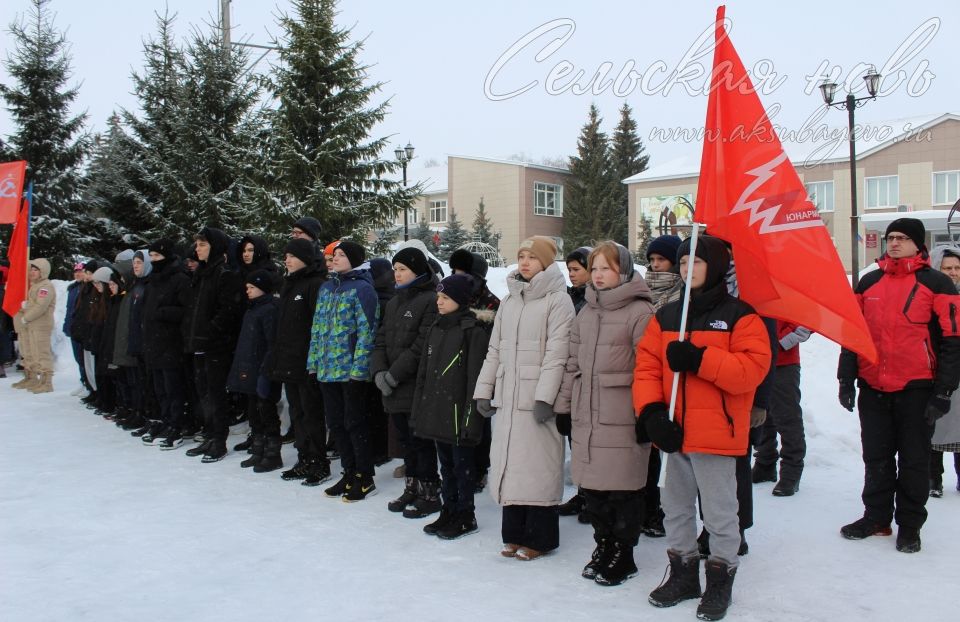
(750, 195)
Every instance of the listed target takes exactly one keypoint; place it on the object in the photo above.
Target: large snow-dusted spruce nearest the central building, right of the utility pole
(323, 162)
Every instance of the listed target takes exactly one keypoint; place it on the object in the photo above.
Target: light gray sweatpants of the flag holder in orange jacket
(715, 478)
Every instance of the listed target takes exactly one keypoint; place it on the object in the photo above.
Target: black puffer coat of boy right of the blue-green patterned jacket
(400, 339)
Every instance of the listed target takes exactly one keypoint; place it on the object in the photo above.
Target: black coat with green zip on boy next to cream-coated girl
(443, 406)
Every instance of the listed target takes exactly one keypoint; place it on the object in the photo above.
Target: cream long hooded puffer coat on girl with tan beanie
(525, 362)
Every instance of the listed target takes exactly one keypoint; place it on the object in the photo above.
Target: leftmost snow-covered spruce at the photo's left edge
(52, 141)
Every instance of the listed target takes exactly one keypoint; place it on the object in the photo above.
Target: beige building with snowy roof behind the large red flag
(908, 167)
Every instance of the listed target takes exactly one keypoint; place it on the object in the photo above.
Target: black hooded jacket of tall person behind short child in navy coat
(212, 321)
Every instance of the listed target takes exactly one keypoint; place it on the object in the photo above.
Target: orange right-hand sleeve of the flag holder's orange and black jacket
(743, 367)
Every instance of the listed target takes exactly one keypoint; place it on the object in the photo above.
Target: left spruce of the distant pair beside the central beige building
(590, 201)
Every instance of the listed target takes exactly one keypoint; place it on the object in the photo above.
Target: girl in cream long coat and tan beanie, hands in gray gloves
(519, 381)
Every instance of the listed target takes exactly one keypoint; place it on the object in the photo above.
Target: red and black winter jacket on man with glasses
(911, 310)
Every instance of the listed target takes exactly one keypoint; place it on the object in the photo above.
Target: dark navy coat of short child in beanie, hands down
(257, 335)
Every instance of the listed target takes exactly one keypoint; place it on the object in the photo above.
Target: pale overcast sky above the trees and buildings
(465, 78)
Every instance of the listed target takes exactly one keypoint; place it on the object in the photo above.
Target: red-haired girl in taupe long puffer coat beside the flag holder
(608, 464)
